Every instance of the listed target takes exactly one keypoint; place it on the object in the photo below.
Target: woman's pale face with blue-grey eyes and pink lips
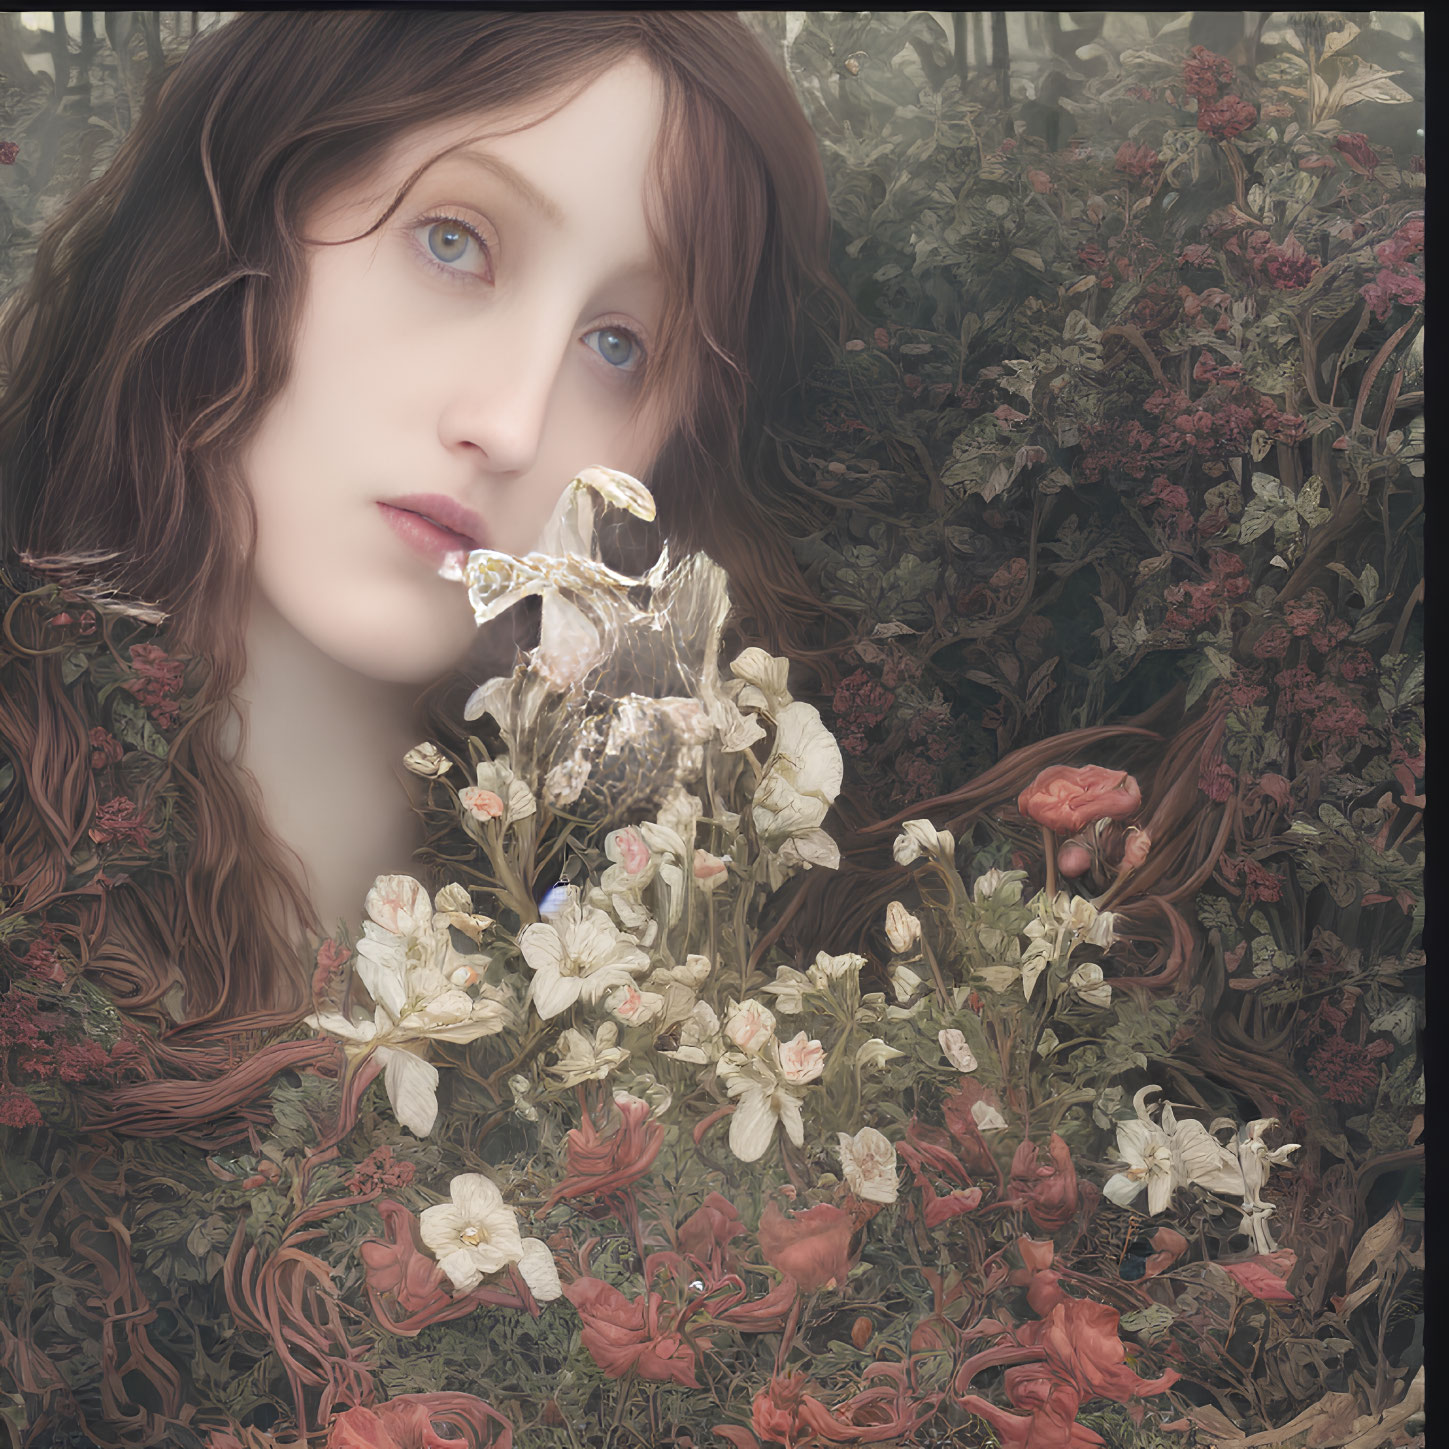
(457, 369)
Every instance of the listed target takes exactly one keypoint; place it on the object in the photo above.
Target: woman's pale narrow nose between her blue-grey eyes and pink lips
(498, 401)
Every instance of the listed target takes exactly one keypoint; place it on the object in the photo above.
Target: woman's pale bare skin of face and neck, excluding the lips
(486, 367)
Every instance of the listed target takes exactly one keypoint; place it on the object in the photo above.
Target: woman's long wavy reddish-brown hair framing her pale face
(157, 330)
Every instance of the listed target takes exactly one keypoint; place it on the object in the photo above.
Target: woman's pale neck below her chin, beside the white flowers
(327, 746)
